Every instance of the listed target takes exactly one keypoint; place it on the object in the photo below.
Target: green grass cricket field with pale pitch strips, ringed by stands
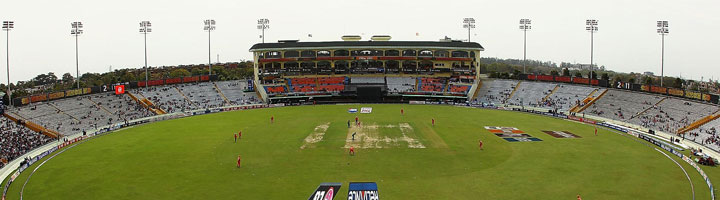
(408, 157)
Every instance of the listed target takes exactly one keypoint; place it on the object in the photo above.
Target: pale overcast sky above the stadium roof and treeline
(626, 41)
